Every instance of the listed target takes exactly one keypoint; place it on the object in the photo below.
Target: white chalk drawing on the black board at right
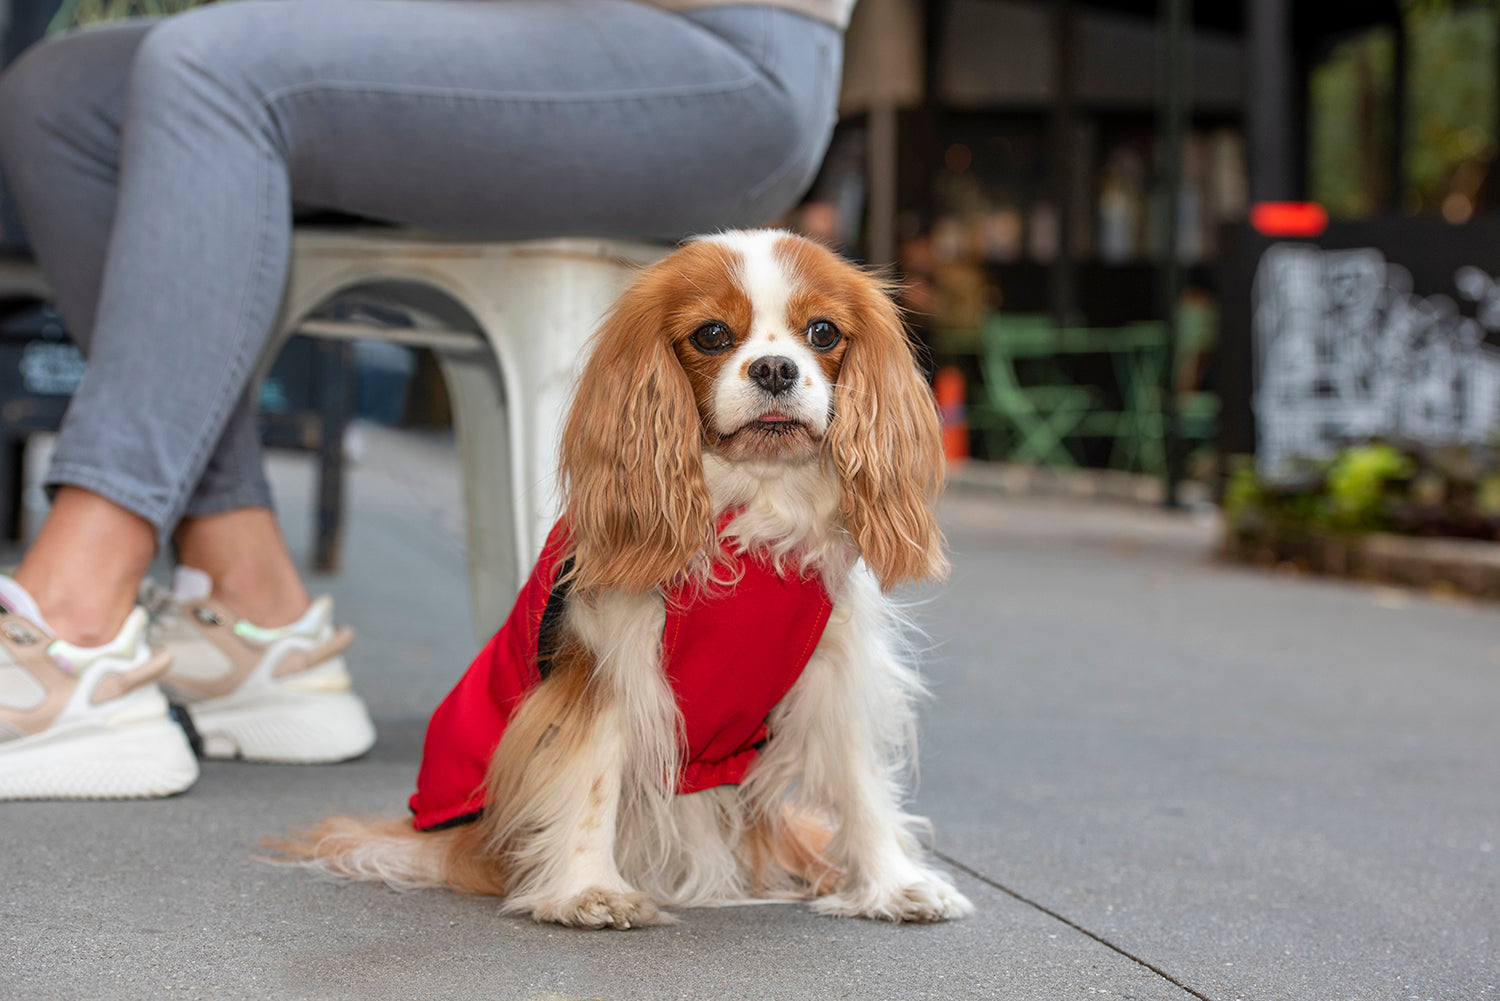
(1346, 352)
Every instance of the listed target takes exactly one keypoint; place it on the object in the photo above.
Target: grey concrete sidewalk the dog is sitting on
(1156, 777)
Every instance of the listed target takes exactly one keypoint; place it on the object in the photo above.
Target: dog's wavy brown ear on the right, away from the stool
(887, 448)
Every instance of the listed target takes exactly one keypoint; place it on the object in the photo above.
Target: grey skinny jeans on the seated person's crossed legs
(158, 166)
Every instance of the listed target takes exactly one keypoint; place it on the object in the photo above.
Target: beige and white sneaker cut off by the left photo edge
(85, 724)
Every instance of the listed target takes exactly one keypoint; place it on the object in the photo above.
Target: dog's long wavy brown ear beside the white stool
(632, 464)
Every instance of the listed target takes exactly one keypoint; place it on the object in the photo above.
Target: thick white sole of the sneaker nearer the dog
(284, 727)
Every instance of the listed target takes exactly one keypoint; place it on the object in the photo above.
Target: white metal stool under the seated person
(508, 323)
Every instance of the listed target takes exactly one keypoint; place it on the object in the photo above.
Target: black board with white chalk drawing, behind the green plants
(1372, 331)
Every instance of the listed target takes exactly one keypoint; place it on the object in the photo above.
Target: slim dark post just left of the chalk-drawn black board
(1174, 122)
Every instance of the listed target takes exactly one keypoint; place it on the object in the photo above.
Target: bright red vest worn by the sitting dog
(730, 658)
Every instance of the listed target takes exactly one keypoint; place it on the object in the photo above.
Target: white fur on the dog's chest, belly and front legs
(842, 742)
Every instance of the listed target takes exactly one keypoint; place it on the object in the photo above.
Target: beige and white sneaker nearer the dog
(259, 694)
